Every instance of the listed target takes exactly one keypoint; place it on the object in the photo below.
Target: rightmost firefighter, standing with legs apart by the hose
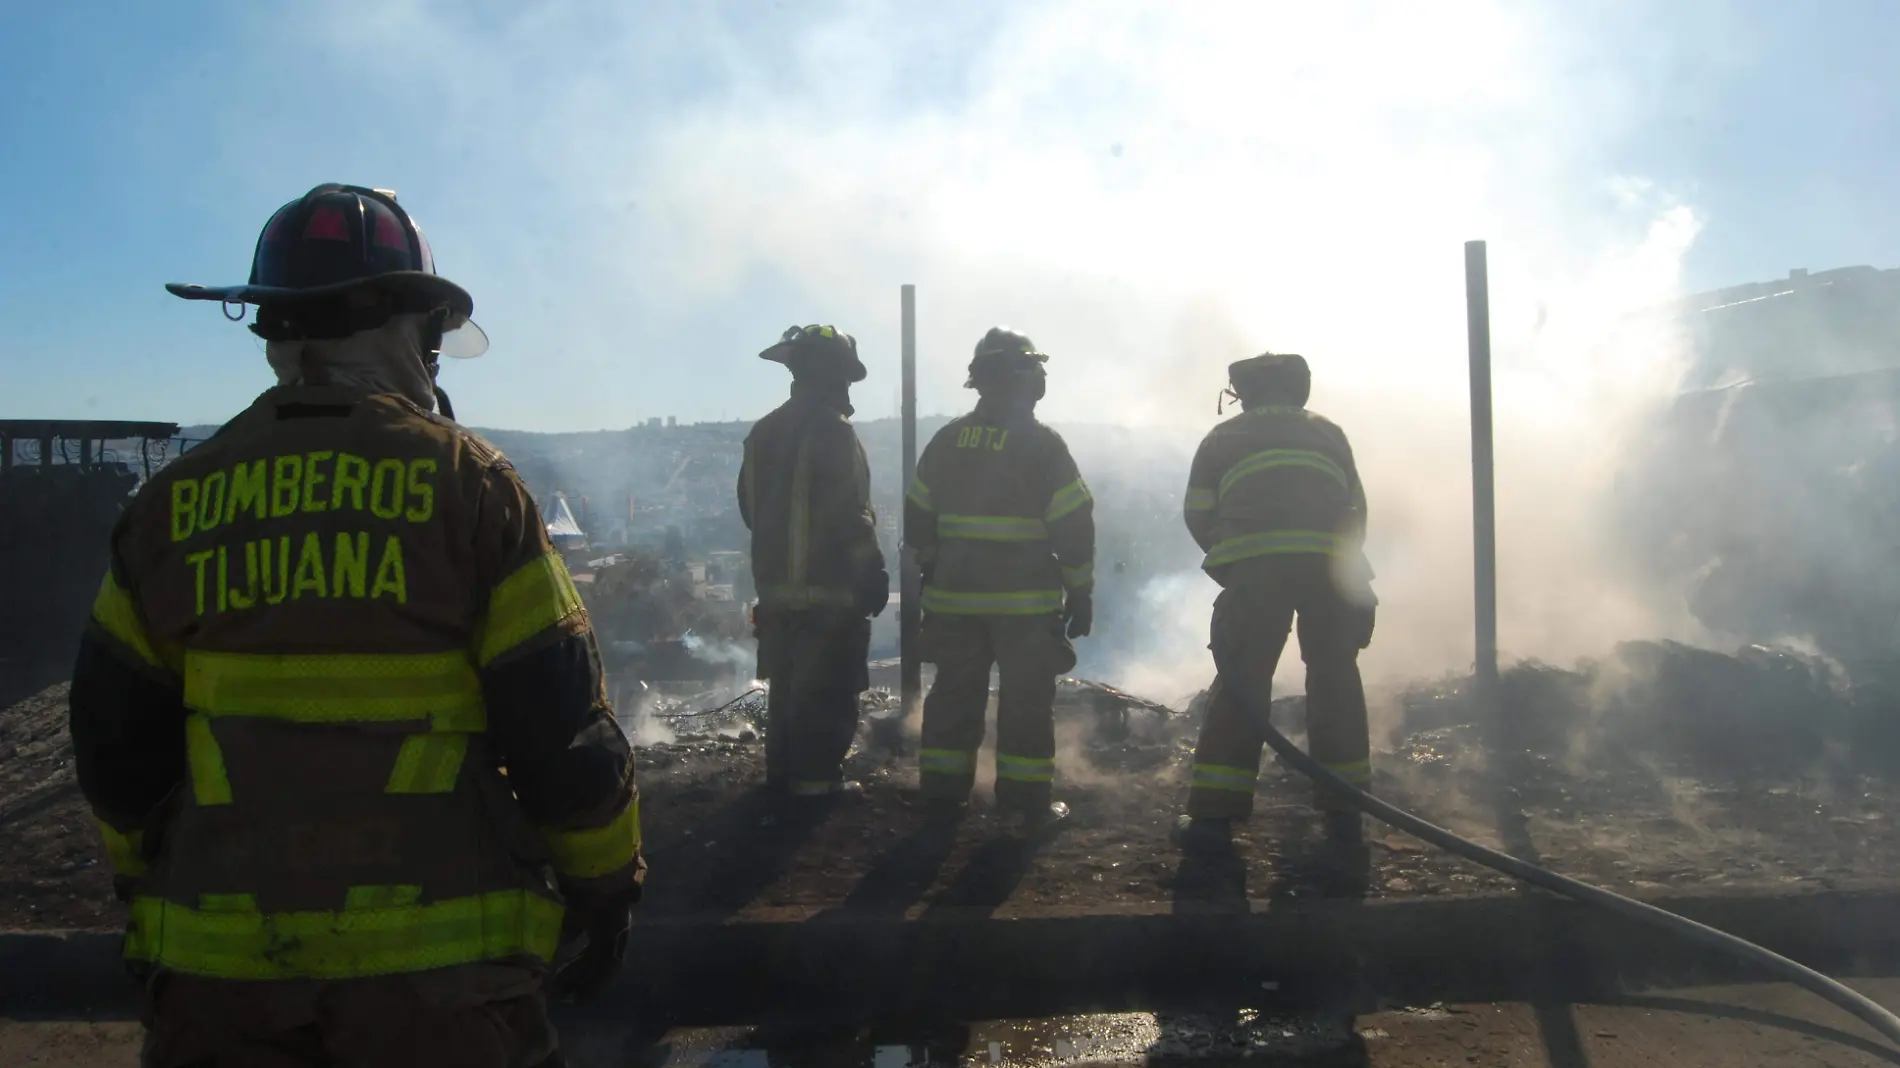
(1278, 506)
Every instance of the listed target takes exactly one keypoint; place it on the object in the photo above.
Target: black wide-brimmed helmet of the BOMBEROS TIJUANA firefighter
(345, 259)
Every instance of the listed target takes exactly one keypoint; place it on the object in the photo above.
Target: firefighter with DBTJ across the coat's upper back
(1004, 531)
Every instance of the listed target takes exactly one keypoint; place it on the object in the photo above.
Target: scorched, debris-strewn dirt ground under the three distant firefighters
(1656, 811)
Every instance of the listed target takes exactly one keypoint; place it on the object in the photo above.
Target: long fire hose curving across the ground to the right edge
(1836, 993)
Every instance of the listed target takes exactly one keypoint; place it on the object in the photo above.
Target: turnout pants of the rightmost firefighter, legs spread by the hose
(1253, 619)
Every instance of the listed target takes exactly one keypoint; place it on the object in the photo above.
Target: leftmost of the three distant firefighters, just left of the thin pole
(805, 491)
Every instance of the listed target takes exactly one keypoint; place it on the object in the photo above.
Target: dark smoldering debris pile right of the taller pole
(1758, 714)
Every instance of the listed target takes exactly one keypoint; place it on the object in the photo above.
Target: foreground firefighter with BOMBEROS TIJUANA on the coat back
(339, 706)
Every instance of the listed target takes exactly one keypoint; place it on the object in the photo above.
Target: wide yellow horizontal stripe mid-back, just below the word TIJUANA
(440, 687)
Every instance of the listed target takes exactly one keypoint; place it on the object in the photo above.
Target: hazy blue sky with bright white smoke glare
(641, 197)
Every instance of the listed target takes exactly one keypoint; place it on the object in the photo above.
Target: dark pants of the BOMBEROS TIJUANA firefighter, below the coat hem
(485, 1016)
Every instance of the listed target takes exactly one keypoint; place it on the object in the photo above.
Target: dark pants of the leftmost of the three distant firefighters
(816, 666)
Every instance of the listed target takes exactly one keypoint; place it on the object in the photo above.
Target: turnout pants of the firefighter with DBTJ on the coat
(1029, 655)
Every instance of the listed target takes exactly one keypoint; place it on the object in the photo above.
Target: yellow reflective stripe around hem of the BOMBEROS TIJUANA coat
(351, 944)
